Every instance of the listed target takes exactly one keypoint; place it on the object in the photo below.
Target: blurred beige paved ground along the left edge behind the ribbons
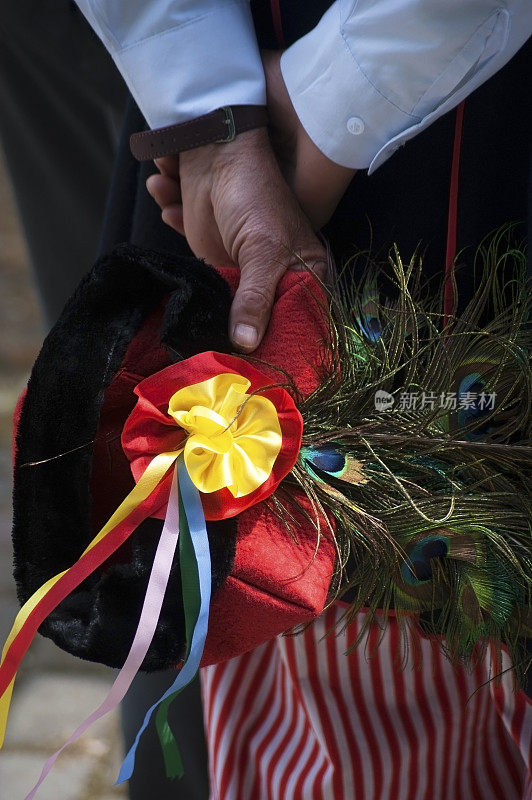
(54, 692)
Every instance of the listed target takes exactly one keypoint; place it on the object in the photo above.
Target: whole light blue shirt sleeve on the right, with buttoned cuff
(372, 75)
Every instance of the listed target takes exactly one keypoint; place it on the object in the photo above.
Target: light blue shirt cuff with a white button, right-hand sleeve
(346, 117)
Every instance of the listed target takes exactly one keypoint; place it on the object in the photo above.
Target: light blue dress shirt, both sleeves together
(371, 75)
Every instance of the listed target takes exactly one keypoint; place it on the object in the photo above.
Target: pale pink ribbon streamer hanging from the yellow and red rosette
(149, 617)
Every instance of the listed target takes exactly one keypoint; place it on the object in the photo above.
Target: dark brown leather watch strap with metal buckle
(219, 126)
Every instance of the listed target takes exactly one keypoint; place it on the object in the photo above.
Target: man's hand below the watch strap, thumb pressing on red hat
(234, 207)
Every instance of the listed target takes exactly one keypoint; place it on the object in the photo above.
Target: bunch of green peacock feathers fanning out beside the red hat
(427, 489)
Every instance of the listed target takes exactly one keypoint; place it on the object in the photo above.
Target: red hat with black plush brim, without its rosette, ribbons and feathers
(136, 313)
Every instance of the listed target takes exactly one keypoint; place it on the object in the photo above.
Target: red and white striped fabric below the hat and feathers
(297, 719)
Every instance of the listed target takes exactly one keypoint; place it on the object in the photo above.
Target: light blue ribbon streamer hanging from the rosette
(198, 532)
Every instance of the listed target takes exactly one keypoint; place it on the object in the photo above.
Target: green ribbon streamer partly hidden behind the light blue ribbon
(191, 606)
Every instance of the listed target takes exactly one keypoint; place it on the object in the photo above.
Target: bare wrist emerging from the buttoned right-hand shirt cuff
(317, 182)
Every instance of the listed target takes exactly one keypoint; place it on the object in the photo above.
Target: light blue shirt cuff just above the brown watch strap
(193, 68)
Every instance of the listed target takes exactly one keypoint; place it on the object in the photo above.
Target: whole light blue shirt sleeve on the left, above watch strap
(181, 58)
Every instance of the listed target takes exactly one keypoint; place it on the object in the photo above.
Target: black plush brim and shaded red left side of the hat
(105, 341)
